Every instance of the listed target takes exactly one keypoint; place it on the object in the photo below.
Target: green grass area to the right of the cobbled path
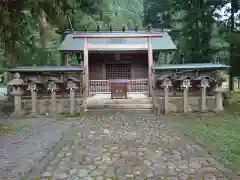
(218, 134)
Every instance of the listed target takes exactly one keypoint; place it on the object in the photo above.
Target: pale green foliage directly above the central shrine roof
(108, 12)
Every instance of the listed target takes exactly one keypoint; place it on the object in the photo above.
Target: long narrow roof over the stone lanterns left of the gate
(46, 69)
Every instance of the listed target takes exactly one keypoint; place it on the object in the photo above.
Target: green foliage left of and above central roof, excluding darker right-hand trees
(28, 40)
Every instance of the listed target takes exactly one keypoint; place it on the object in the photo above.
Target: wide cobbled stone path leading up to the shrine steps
(129, 147)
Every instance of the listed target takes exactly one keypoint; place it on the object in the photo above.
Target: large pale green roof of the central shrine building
(117, 41)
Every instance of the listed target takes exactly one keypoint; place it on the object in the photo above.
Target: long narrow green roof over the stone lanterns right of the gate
(191, 66)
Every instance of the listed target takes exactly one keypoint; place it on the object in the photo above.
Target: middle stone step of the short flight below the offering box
(120, 106)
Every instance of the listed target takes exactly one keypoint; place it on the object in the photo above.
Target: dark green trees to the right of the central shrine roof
(194, 19)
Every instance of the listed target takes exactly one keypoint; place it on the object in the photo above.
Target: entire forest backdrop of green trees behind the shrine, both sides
(29, 29)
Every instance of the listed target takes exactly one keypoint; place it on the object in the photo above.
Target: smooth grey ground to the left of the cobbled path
(19, 151)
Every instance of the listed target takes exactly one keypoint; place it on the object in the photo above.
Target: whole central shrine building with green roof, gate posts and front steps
(117, 66)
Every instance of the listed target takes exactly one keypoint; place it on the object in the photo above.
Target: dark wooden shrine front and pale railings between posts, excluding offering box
(129, 65)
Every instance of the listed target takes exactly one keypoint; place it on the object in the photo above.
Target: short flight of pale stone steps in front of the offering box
(143, 105)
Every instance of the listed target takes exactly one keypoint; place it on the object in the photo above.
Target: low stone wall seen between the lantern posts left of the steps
(44, 106)
